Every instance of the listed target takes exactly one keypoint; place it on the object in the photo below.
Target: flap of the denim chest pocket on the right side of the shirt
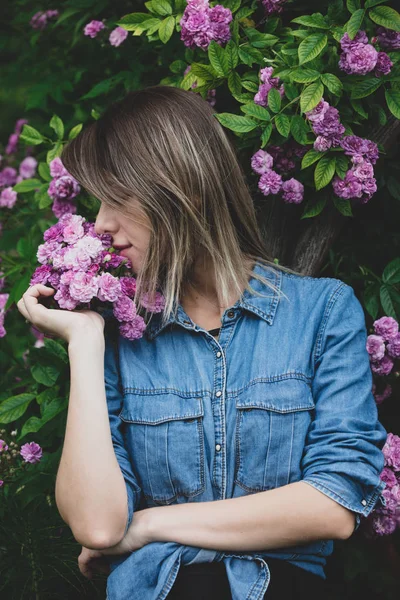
(283, 395)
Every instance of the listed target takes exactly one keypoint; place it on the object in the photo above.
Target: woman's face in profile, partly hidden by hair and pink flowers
(124, 231)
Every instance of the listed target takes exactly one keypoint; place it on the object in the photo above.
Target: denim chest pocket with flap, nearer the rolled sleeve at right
(272, 420)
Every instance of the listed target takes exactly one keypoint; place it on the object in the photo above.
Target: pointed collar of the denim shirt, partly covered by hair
(264, 306)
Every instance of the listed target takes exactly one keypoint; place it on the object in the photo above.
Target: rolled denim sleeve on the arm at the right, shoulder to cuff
(343, 451)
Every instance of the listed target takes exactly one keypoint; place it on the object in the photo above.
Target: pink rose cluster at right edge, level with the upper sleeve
(383, 346)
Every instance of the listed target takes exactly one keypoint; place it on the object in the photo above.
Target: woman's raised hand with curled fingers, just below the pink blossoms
(61, 323)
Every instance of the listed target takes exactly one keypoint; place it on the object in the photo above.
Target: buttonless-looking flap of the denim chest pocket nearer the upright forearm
(158, 408)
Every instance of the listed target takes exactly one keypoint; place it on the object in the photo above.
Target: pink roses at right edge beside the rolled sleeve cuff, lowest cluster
(386, 519)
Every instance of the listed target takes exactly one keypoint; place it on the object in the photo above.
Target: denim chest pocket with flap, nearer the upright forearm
(165, 437)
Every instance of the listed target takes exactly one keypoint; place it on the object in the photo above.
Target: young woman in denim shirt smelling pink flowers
(220, 454)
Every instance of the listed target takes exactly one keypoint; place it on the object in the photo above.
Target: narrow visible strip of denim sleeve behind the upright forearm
(114, 404)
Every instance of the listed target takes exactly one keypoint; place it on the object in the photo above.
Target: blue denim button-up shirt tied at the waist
(284, 394)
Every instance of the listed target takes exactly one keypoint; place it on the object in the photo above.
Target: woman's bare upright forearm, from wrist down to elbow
(90, 488)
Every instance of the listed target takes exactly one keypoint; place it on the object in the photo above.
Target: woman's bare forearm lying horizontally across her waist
(290, 515)
